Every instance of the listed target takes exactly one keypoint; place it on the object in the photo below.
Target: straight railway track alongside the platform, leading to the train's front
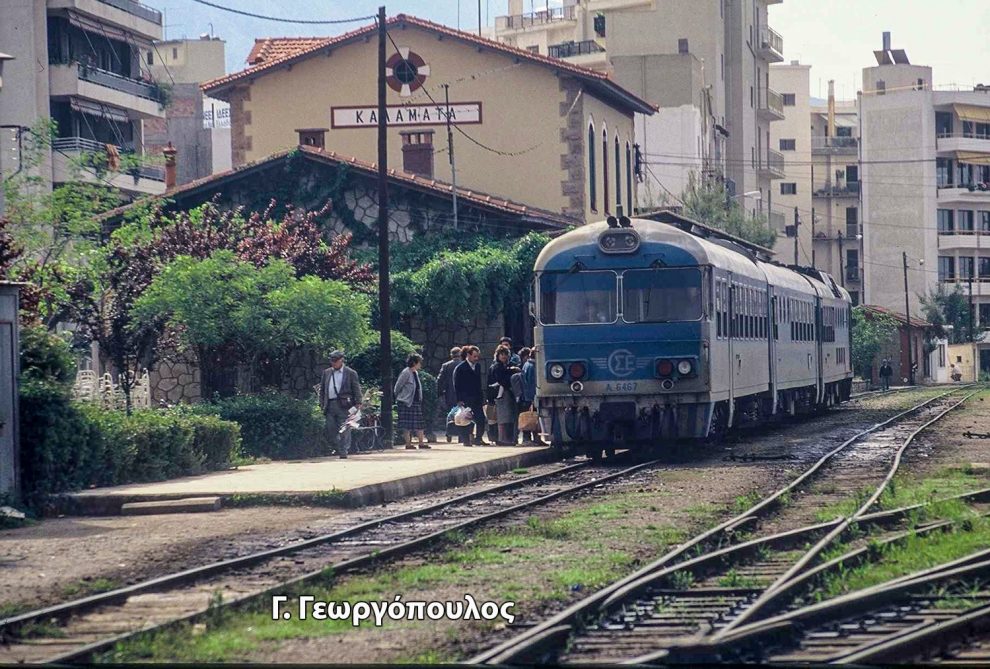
(75, 630)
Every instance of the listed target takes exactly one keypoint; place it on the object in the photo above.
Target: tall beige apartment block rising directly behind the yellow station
(705, 62)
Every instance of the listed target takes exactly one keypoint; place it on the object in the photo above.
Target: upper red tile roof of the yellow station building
(281, 53)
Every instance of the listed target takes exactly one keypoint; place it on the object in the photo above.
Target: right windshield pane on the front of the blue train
(662, 295)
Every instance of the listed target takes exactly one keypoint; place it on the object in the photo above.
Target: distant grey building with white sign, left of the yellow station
(197, 126)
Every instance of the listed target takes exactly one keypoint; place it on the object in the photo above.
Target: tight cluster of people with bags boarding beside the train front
(496, 398)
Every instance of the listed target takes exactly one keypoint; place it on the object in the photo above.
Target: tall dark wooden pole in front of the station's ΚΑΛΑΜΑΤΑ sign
(384, 305)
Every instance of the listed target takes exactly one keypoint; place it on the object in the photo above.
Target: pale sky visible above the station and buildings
(836, 37)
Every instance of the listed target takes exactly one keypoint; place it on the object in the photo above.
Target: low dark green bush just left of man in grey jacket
(272, 425)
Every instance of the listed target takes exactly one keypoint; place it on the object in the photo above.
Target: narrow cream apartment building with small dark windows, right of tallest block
(789, 201)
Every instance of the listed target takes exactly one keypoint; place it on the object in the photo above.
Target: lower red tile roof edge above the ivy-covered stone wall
(533, 215)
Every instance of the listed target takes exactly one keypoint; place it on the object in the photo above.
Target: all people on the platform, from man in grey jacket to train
(505, 391)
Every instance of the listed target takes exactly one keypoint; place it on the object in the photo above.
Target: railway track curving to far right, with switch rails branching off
(714, 583)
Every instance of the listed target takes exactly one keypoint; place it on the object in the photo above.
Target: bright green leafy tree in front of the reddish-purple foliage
(227, 311)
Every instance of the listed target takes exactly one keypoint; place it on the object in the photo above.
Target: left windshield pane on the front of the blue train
(578, 298)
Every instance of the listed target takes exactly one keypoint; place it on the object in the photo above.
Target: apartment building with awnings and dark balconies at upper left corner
(84, 64)
